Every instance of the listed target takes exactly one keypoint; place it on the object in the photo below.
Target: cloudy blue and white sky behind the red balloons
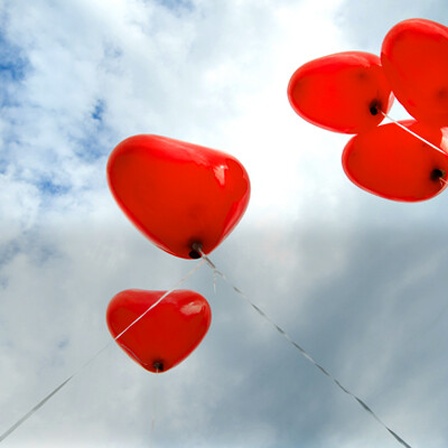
(357, 280)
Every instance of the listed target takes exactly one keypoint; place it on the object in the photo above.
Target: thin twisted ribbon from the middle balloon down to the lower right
(302, 351)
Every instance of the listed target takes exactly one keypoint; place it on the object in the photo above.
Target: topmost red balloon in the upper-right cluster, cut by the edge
(414, 55)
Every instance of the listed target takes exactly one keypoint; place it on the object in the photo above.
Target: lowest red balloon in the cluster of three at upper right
(391, 163)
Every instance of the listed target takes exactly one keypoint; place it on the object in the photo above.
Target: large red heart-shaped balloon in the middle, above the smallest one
(178, 194)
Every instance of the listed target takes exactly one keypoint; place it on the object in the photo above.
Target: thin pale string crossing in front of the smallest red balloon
(35, 408)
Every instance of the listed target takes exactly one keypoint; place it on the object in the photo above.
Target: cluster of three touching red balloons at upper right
(352, 92)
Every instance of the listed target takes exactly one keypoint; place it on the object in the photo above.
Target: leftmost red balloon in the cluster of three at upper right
(342, 92)
